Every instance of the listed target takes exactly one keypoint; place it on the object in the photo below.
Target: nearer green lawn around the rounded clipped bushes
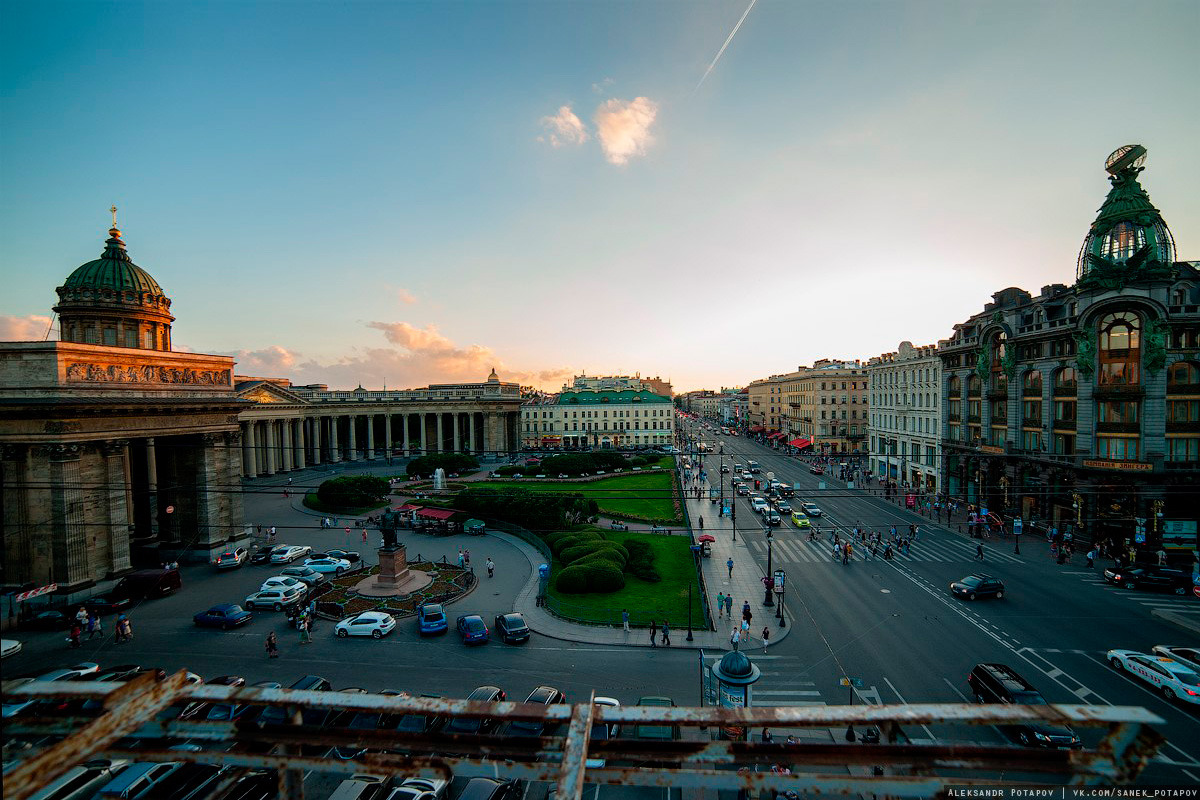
(667, 600)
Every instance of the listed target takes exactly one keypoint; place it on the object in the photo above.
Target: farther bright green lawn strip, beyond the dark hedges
(647, 496)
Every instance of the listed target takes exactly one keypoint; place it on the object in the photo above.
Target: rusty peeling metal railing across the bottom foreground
(697, 760)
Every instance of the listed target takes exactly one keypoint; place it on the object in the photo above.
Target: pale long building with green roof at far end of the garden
(599, 419)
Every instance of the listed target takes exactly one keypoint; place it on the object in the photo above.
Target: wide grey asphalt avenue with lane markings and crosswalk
(895, 625)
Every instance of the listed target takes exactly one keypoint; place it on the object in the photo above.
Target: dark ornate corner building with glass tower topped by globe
(1079, 408)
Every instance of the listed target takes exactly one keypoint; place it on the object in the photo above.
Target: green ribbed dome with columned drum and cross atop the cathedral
(112, 302)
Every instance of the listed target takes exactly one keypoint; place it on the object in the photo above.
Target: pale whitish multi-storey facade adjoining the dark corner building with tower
(907, 417)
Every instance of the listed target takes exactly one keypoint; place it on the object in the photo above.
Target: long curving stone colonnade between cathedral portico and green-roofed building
(281, 444)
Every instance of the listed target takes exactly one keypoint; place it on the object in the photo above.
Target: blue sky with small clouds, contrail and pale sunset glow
(403, 194)
